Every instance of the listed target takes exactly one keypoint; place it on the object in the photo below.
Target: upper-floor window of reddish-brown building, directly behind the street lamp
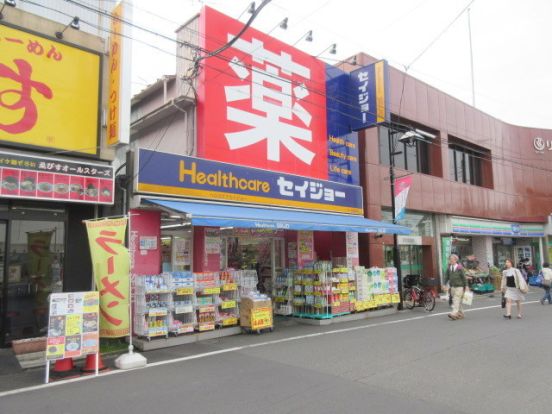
(413, 157)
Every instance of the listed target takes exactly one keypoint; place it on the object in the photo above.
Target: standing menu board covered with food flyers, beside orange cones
(73, 325)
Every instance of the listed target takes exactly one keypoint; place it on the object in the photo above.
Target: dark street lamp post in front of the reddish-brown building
(409, 137)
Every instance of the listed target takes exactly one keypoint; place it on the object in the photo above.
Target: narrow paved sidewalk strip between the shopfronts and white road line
(13, 377)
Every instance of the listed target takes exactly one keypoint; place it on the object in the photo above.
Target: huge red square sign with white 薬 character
(261, 102)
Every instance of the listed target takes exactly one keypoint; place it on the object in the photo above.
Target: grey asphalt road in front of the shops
(412, 362)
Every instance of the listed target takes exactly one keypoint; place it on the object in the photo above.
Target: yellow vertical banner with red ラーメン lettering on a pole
(111, 264)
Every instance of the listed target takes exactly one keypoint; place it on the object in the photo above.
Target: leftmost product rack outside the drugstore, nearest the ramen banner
(153, 300)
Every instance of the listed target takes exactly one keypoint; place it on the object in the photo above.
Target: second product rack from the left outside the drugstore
(182, 318)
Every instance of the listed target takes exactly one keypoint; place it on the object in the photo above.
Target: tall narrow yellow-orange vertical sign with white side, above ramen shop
(118, 117)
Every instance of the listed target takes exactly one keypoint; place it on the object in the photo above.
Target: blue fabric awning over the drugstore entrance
(223, 215)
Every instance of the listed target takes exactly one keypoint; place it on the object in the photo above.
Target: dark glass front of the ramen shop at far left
(32, 253)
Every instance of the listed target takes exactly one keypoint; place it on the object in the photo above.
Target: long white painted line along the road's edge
(243, 347)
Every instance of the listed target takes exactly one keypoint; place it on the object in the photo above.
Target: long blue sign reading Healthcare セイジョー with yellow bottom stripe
(177, 175)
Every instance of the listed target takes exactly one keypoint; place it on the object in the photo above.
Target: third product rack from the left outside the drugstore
(207, 290)
